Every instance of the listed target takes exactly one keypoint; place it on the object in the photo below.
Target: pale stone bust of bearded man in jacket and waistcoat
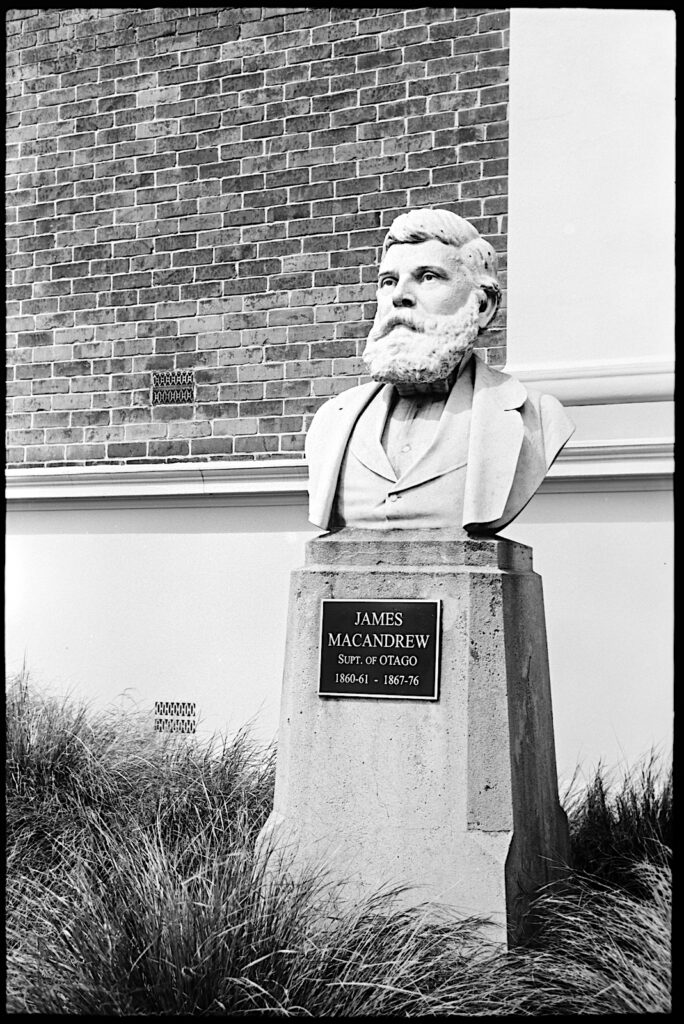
(438, 440)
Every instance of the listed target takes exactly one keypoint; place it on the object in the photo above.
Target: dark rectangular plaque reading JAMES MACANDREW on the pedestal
(380, 650)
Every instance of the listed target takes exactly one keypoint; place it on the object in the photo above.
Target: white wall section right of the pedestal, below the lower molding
(607, 563)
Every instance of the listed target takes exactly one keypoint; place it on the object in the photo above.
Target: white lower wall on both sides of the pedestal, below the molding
(190, 604)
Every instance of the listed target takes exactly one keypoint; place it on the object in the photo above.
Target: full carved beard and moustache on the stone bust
(405, 349)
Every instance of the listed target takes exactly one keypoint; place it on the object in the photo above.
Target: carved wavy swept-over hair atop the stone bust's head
(477, 254)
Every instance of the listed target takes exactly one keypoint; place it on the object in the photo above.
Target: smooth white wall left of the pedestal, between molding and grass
(161, 604)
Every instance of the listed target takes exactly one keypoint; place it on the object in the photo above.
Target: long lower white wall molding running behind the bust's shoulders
(615, 464)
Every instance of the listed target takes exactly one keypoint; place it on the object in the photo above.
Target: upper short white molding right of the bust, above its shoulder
(602, 383)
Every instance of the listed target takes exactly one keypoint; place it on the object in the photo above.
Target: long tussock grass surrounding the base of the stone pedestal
(134, 888)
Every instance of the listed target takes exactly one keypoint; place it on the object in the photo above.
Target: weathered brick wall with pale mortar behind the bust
(206, 190)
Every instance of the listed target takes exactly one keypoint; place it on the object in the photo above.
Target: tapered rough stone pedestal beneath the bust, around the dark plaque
(456, 799)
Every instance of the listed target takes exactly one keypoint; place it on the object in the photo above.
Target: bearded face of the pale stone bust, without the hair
(427, 318)
